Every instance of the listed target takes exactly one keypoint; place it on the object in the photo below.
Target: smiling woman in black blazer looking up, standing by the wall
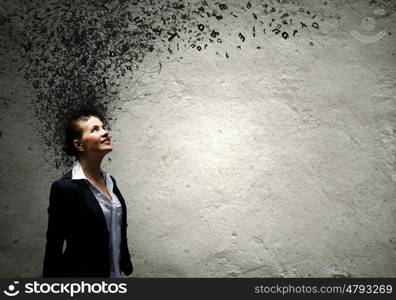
(86, 210)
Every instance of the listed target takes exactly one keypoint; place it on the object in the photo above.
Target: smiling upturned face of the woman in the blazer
(94, 139)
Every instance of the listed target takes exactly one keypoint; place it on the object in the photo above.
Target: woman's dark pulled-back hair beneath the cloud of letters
(74, 131)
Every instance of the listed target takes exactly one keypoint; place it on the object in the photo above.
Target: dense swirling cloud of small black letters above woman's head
(77, 51)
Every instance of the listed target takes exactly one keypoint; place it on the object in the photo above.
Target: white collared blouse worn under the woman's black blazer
(112, 211)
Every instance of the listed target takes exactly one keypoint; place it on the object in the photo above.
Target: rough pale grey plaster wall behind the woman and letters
(278, 161)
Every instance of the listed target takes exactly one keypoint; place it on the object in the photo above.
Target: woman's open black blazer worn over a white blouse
(75, 216)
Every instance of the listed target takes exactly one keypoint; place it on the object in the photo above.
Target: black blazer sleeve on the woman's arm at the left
(55, 233)
